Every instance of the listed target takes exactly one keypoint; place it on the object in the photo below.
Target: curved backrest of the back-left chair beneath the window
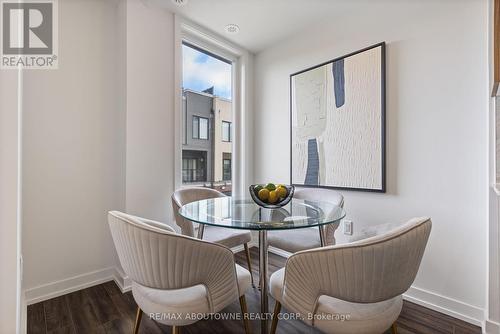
(187, 195)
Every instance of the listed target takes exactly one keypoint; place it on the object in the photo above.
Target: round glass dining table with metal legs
(228, 212)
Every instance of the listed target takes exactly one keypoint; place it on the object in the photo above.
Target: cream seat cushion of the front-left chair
(175, 307)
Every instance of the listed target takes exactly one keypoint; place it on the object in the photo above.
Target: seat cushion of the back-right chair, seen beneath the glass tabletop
(295, 240)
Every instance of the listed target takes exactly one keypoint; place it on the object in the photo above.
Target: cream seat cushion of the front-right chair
(331, 313)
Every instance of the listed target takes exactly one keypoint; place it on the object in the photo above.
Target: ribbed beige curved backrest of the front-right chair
(366, 271)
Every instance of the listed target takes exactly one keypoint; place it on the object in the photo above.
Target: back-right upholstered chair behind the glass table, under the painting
(296, 240)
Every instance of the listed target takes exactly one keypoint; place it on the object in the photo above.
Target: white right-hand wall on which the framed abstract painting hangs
(437, 121)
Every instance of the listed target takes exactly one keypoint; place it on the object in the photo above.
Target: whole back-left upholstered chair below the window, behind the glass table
(224, 236)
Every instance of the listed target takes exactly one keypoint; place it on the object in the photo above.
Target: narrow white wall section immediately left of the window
(150, 111)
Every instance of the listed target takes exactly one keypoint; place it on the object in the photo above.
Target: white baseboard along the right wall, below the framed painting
(433, 301)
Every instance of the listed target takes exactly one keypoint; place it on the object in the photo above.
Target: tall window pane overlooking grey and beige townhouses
(207, 109)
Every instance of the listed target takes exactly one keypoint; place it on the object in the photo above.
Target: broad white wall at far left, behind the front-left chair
(74, 151)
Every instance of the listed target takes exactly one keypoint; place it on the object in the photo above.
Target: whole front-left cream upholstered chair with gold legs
(175, 276)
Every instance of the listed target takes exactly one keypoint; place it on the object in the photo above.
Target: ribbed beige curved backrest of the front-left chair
(153, 255)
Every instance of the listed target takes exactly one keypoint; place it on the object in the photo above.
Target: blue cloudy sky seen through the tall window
(201, 71)
